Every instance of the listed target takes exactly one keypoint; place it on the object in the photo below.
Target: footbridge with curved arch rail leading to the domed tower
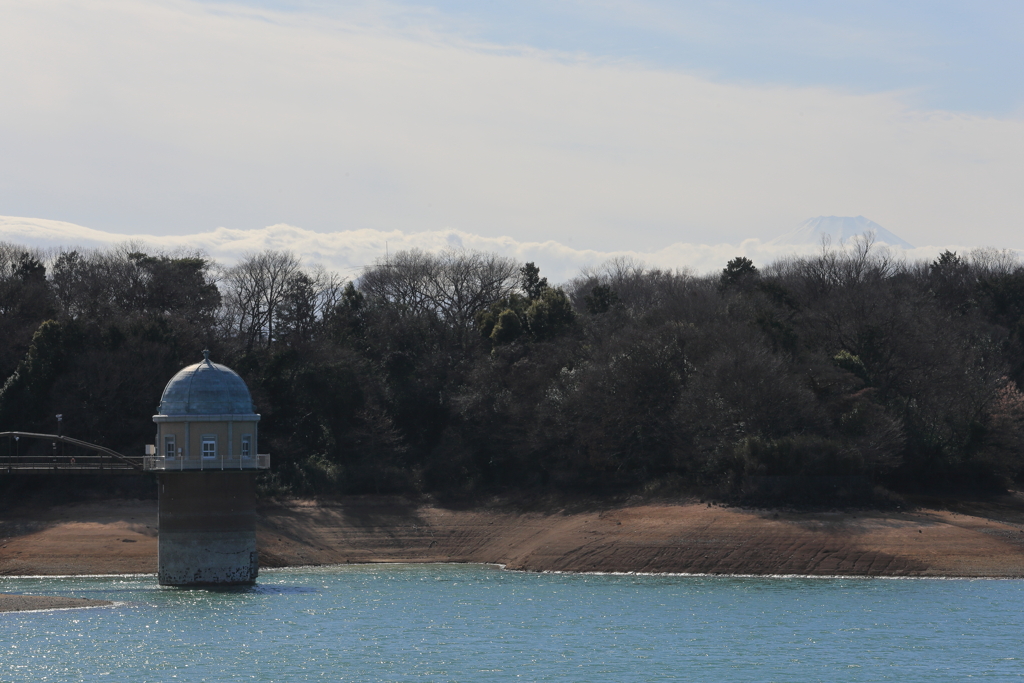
(80, 457)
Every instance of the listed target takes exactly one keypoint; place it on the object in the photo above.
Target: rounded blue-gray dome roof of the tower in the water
(206, 389)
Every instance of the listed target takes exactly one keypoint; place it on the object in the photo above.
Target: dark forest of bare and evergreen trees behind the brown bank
(463, 373)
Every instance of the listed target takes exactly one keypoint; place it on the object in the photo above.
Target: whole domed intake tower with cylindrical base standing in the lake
(206, 458)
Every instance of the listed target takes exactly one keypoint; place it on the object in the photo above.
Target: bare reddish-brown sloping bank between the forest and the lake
(120, 537)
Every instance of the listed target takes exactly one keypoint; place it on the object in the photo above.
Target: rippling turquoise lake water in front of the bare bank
(473, 623)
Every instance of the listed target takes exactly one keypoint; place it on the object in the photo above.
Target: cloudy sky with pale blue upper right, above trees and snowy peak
(665, 131)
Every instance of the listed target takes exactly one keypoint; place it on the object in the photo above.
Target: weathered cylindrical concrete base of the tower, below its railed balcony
(207, 529)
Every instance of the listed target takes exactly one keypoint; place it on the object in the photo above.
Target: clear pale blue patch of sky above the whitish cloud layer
(967, 57)
